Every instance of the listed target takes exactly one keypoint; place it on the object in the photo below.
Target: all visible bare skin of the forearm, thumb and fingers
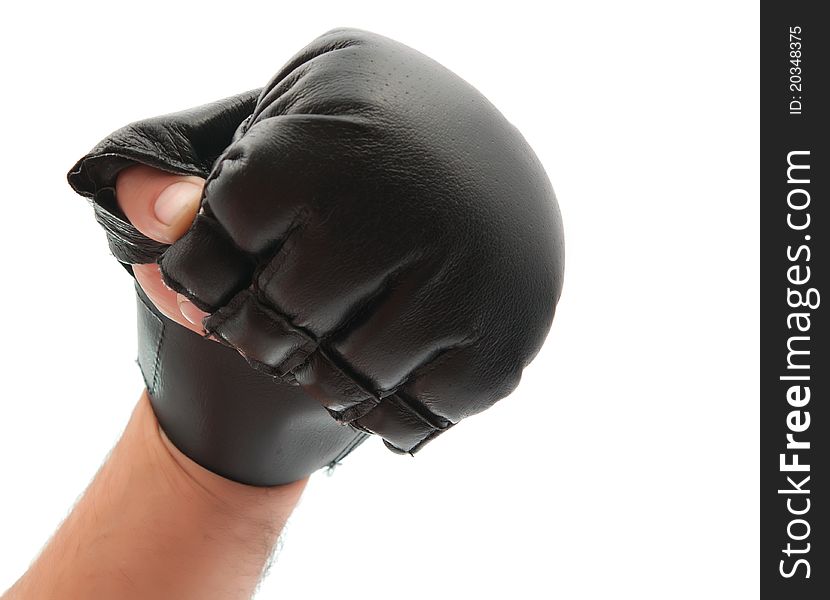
(154, 524)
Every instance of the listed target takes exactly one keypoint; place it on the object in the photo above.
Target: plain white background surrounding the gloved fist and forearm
(625, 466)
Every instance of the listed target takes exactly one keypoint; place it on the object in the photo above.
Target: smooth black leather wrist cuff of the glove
(232, 420)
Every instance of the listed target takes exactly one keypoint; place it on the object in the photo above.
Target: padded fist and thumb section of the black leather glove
(372, 230)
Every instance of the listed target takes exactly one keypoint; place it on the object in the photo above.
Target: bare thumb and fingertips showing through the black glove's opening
(162, 206)
